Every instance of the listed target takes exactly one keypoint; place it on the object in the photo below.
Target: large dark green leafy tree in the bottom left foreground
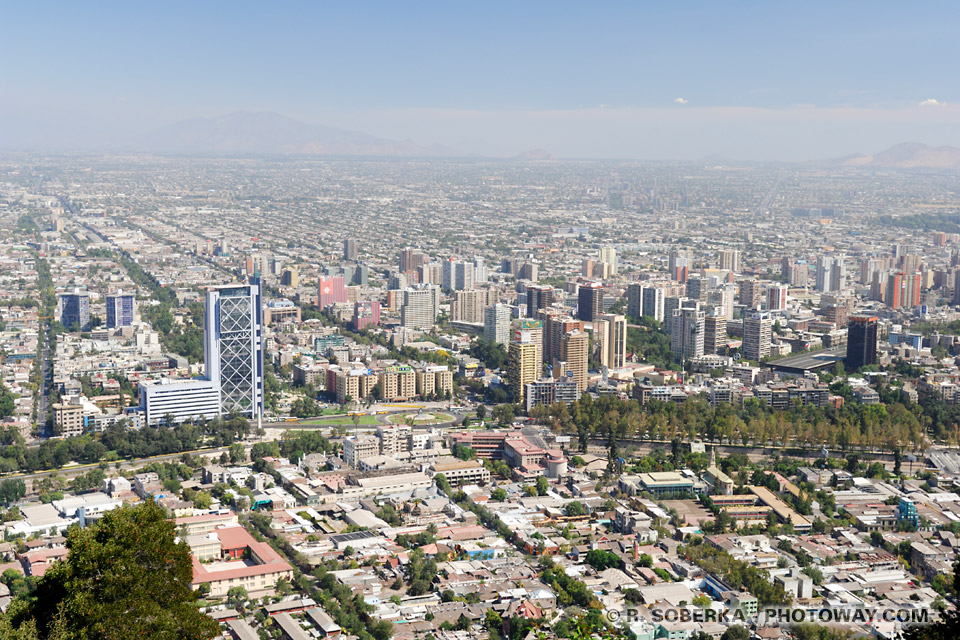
(124, 577)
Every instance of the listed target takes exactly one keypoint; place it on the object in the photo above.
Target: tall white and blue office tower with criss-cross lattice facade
(233, 346)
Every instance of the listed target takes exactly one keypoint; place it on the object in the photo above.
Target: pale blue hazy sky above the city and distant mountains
(643, 80)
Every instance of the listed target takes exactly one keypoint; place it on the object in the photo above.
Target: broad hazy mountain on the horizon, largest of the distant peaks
(245, 132)
